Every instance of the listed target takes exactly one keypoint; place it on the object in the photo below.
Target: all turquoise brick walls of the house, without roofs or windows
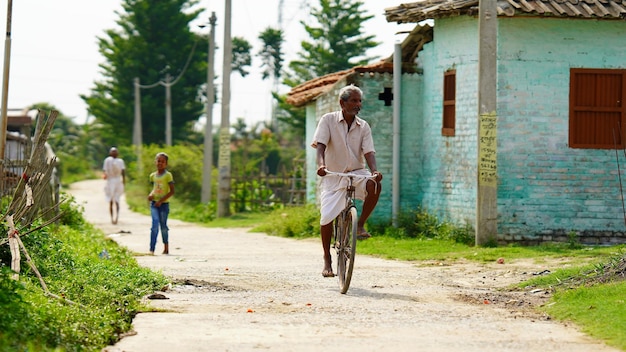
(546, 190)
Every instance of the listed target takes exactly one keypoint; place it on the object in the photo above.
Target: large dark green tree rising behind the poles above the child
(154, 40)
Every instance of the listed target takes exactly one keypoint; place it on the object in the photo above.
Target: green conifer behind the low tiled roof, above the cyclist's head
(337, 42)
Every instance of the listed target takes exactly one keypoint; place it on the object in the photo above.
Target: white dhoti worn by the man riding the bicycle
(333, 194)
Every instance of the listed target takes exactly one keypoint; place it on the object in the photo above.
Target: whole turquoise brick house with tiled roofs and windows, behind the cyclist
(560, 116)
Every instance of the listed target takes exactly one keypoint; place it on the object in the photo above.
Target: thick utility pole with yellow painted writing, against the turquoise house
(487, 171)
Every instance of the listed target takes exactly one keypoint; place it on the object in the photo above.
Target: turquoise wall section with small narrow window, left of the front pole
(448, 164)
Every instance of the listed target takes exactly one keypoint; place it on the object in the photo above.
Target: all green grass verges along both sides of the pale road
(107, 290)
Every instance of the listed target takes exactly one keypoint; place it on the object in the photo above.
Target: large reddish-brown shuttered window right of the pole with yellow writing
(597, 114)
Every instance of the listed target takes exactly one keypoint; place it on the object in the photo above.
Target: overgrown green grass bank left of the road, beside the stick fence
(103, 293)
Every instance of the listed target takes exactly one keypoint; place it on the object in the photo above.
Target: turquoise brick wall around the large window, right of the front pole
(548, 190)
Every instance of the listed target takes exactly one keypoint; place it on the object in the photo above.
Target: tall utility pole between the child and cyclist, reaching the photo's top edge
(223, 202)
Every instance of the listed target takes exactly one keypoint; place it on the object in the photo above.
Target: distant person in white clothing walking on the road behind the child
(115, 176)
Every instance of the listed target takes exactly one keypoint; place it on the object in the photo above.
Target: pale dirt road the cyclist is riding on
(241, 291)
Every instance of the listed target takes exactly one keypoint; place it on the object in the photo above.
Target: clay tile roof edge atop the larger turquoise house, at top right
(428, 9)
